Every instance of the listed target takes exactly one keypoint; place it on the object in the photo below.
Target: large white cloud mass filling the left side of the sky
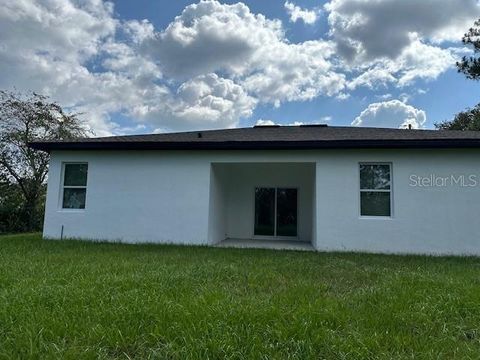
(53, 53)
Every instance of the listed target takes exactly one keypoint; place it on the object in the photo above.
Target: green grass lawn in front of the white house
(70, 299)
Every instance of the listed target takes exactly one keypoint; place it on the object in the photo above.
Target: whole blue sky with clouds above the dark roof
(132, 67)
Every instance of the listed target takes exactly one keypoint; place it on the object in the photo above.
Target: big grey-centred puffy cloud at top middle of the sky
(248, 48)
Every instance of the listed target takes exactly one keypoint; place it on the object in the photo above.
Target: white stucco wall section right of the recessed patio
(434, 220)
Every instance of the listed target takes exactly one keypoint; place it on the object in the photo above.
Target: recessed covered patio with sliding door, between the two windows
(267, 205)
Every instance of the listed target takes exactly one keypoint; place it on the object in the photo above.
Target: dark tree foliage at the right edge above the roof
(470, 66)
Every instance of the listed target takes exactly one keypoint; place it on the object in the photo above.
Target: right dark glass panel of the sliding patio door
(286, 212)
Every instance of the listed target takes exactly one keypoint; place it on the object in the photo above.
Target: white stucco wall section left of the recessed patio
(134, 197)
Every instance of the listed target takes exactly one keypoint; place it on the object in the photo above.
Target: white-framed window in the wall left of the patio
(74, 186)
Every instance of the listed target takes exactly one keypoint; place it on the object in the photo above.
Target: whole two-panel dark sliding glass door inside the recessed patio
(275, 212)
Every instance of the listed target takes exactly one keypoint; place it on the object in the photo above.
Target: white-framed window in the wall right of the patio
(375, 190)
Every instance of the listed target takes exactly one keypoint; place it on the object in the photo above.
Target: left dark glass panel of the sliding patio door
(264, 211)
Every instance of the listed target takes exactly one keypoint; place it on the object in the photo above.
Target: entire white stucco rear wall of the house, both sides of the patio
(155, 196)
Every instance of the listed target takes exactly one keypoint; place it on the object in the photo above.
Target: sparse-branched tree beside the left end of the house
(25, 118)
